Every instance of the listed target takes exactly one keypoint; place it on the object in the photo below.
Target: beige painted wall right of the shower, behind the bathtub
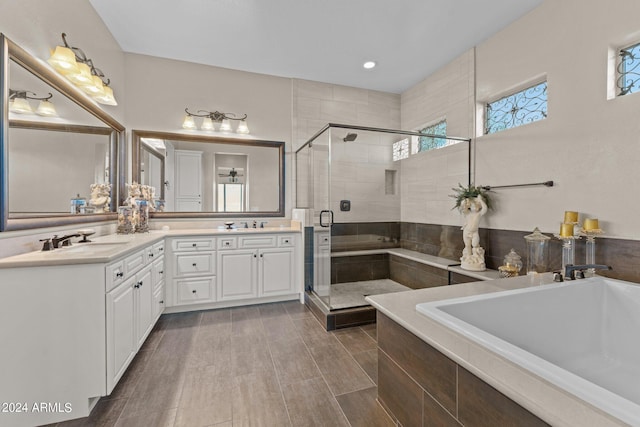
(589, 145)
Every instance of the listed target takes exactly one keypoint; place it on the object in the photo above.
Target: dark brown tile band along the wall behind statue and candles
(446, 241)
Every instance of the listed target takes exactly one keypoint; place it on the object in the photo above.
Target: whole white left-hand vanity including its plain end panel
(74, 324)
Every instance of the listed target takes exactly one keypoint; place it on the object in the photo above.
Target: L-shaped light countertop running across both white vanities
(105, 249)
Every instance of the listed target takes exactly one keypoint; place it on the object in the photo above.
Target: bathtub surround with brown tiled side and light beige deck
(512, 391)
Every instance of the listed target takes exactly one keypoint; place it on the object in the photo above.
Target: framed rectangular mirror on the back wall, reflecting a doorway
(203, 176)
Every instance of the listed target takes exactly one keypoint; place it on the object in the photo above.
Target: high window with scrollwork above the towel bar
(520, 108)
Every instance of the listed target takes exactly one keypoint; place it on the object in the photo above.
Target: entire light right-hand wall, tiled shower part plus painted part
(589, 145)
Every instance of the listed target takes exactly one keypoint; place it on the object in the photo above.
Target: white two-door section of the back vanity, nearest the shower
(256, 266)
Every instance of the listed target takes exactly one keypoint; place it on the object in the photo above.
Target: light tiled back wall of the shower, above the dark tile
(358, 168)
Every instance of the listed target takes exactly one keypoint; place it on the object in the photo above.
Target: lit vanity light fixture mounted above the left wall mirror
(72, 63)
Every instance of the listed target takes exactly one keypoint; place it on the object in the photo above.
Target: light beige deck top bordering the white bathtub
(554, 405)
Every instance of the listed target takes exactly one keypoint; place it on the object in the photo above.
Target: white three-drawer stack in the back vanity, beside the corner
(192, 269)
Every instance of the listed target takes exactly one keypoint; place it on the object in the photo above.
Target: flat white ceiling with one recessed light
(320, 40)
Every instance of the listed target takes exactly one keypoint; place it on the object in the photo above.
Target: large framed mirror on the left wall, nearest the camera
(49, 160)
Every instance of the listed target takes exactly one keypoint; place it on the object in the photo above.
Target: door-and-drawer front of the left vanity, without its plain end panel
(134, 301)
